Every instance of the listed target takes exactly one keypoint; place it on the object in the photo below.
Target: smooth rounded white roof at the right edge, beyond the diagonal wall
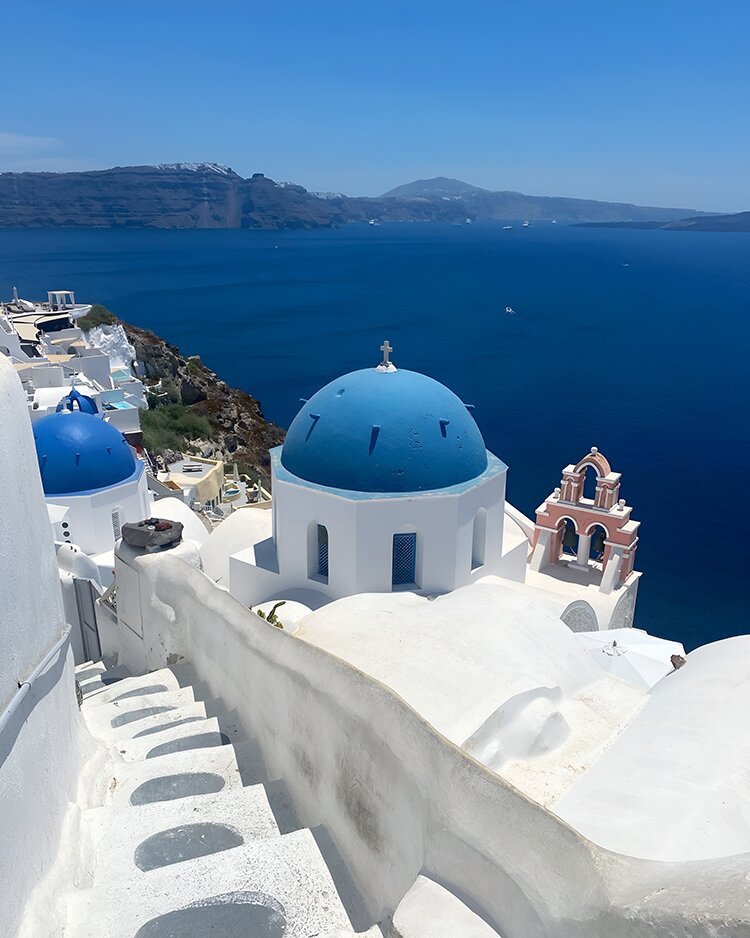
(679, 772)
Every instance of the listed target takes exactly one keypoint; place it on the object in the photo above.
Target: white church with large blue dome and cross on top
(383, 483)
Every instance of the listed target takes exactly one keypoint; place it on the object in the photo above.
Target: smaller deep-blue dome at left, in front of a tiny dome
(78, 452)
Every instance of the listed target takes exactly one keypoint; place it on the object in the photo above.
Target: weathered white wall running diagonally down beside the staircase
(398, 799)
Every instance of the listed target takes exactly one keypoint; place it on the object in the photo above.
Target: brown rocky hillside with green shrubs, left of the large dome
(213, 418)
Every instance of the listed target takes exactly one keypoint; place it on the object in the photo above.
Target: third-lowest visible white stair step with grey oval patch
(197, 771)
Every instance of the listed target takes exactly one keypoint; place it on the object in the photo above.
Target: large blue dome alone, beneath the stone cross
(384, 431)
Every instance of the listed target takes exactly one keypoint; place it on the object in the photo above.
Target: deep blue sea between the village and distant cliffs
(637, 342)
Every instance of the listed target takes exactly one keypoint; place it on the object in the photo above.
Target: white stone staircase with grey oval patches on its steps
(172, 843)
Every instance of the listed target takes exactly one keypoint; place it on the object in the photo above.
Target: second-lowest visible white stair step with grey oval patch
(119, 841)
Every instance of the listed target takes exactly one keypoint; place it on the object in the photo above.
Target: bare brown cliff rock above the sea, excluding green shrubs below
(239, 431)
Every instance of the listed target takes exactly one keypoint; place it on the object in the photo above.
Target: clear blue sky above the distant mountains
(639, 100)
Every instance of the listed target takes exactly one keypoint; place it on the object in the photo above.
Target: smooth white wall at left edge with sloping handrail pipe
(40, 744)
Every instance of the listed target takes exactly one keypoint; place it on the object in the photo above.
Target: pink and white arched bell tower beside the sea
(593, 533)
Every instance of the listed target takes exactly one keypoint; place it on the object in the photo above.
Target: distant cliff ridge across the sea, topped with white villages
(207, 195)
